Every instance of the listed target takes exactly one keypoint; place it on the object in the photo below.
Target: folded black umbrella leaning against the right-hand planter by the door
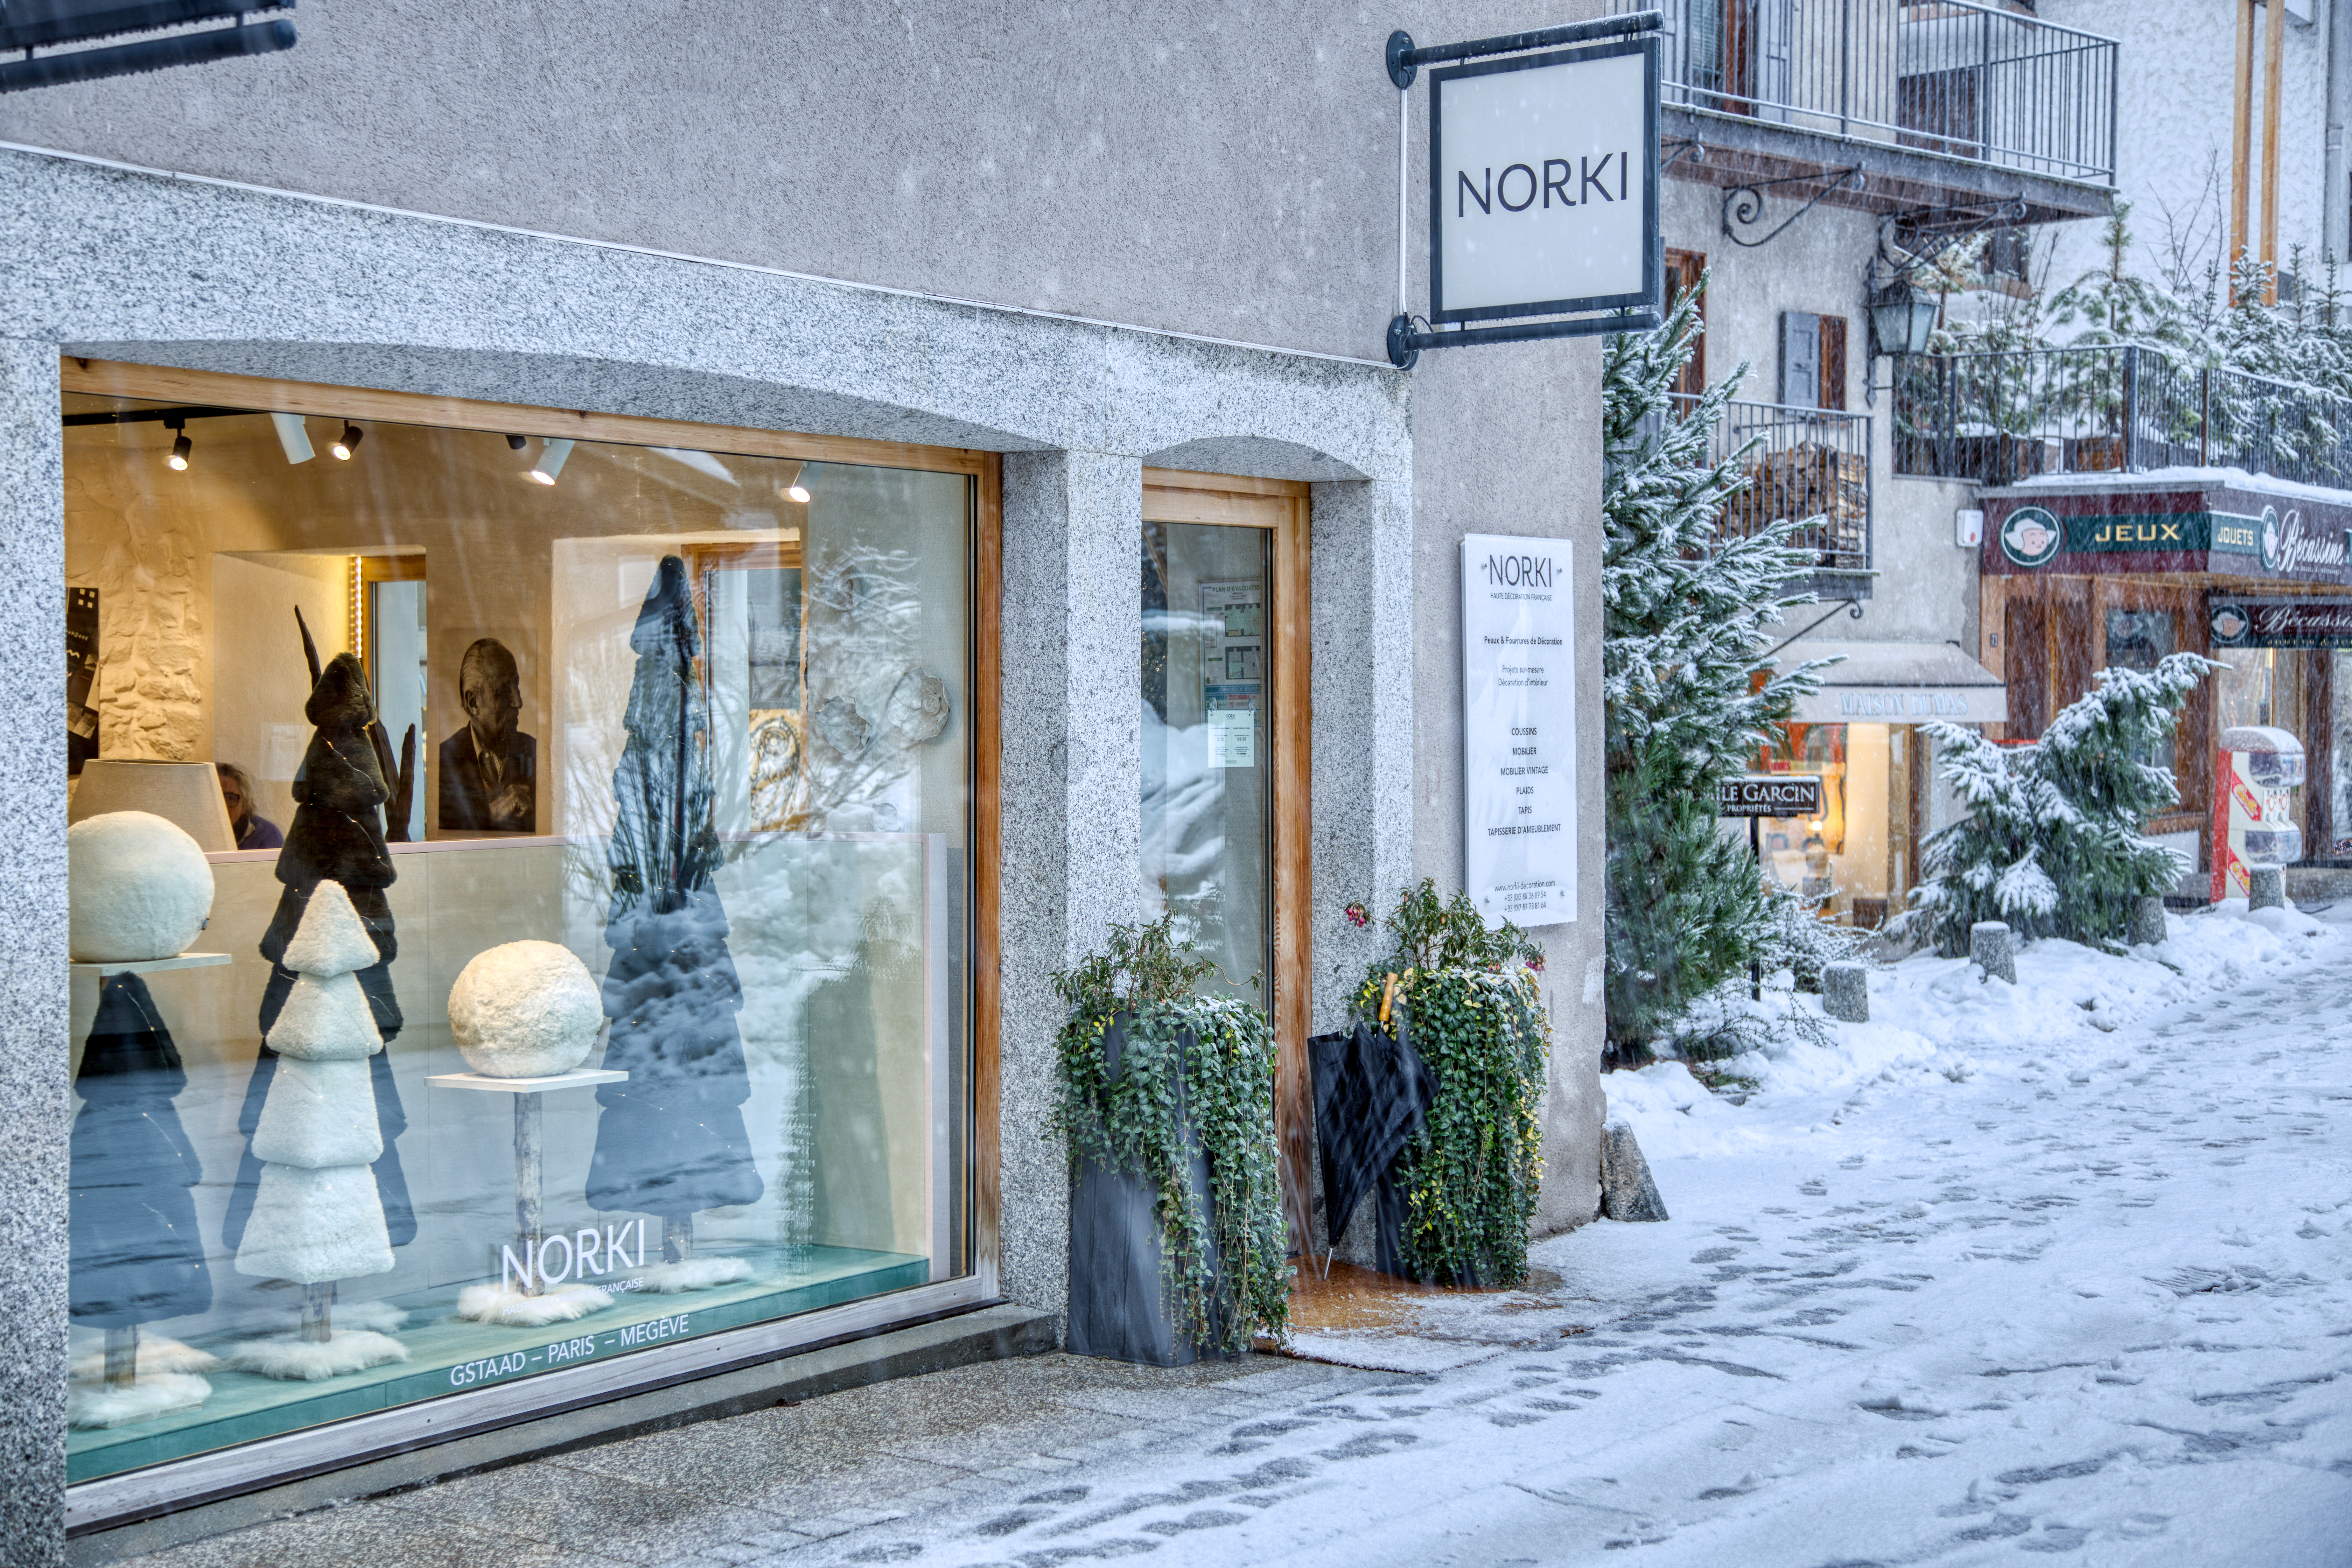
(1372, 1094)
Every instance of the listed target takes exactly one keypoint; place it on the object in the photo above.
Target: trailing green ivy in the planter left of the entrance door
(1196, 1076)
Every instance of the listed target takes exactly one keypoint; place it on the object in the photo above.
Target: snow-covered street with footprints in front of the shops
(2052, 1271)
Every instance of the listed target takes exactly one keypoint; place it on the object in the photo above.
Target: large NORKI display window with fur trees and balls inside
(693, 718)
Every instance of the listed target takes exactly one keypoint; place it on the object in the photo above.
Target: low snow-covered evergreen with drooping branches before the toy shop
(2054, 843)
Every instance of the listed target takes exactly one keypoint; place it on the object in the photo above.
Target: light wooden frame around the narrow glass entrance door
(1278, 507)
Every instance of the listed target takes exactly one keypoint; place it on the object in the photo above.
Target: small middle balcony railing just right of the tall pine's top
(1810, 467)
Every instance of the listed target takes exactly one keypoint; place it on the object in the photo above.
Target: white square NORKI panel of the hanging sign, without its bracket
(1544, 185)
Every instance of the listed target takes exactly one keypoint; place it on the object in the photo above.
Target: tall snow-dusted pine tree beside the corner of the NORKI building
(1685, 624)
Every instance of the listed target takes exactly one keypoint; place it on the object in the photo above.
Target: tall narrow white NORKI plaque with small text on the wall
(1521, 730)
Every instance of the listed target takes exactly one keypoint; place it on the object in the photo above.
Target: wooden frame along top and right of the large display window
(984, 1186)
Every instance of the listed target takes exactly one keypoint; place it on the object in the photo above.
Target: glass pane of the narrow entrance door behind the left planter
(1208, 746)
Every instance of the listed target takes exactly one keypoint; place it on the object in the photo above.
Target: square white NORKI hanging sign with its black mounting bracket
(1544, 187)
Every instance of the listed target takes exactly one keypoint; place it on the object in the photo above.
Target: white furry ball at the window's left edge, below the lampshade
(142, 887)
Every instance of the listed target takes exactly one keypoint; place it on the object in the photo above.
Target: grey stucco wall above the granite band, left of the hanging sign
(1194, 166)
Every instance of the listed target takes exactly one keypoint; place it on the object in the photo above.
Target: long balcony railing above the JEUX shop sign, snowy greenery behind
(2005, 417)
